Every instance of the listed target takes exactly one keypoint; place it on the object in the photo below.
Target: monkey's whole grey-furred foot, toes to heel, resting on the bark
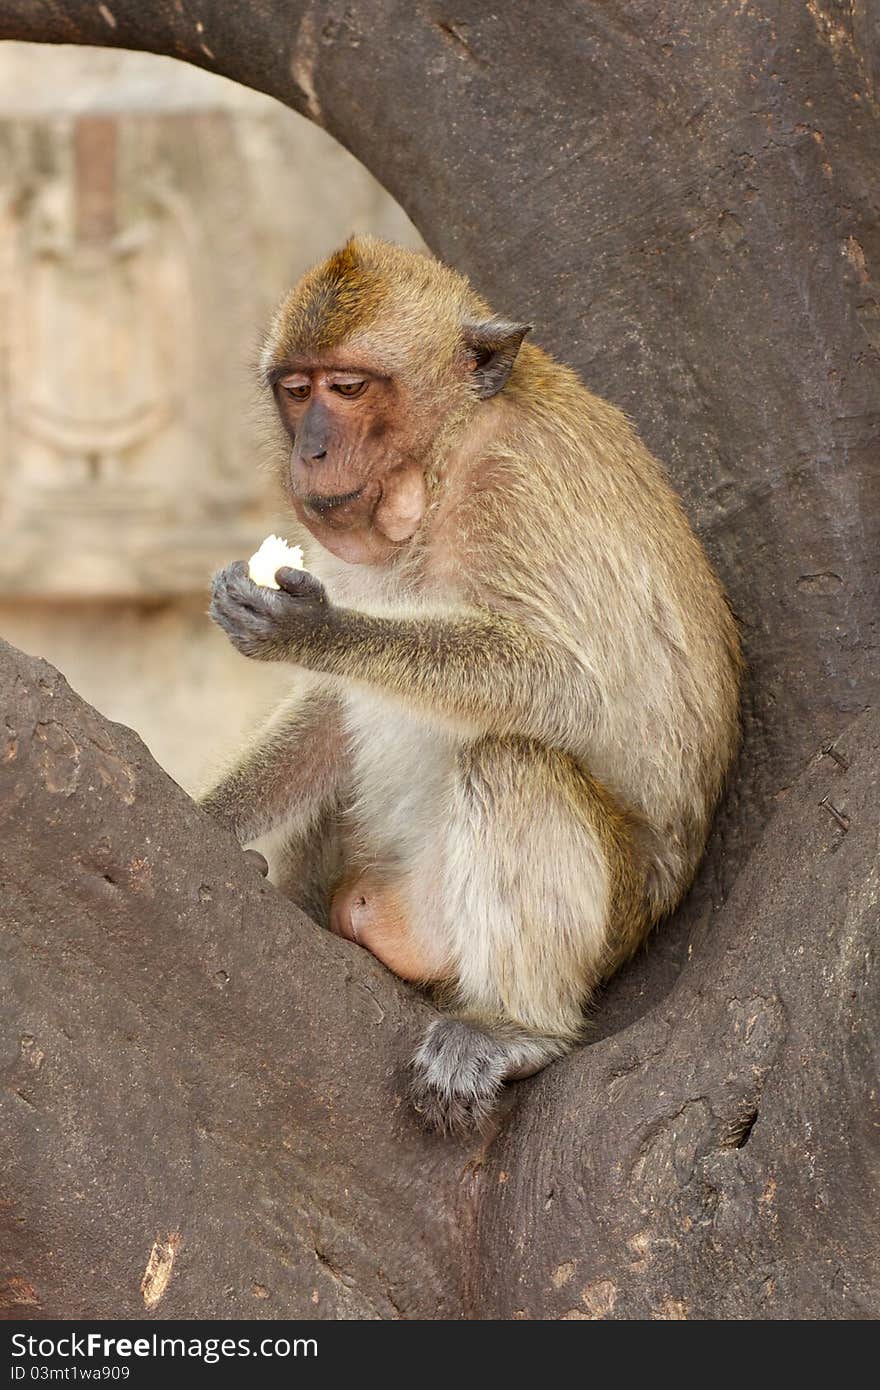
(461, 1067)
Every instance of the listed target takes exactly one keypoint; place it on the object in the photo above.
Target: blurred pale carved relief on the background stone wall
(101, 372)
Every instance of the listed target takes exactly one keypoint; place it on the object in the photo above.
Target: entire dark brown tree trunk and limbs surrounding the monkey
(685, 204)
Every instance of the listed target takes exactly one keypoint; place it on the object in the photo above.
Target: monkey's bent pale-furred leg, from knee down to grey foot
(541, 897)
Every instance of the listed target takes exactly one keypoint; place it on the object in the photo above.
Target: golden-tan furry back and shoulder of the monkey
(582, 537)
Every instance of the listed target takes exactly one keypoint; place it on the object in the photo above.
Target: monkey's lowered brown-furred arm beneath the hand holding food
(288, 774)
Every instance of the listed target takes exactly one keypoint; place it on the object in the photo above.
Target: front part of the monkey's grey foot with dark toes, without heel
(457, 1077)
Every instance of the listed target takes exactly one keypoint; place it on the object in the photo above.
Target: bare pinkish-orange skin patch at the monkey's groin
(375, 915)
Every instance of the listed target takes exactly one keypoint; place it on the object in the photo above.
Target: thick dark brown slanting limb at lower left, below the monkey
(186, 1053)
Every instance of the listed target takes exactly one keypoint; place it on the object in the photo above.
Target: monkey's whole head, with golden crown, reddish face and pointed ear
(377, 361)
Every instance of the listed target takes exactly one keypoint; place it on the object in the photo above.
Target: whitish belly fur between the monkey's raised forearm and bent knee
(402, 778)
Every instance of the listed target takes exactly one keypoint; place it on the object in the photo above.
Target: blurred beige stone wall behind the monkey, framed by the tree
(151, 216)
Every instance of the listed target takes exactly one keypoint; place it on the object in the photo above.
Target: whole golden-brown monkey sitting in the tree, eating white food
(515, 673)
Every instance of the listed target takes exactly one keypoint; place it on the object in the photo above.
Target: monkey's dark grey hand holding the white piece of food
(269, 625)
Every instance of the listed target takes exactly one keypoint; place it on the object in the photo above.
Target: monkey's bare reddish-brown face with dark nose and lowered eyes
(355, 473)
